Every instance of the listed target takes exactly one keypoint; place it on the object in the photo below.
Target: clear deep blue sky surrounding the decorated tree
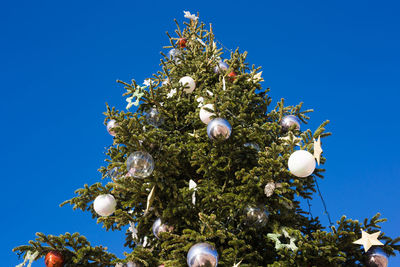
(59, 61)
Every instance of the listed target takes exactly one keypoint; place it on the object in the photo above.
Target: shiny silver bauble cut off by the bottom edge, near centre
(202, 255)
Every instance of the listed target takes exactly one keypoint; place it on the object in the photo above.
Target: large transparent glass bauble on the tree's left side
(140, 164)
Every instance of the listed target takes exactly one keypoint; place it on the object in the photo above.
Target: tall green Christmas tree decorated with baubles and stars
(206, 172)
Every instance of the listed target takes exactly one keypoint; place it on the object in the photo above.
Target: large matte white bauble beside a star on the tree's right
(301, 163)
